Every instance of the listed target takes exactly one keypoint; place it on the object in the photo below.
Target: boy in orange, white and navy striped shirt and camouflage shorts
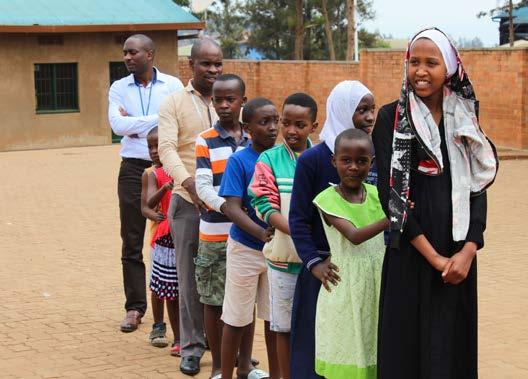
(213, 148)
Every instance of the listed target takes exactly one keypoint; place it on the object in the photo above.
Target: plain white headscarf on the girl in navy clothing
(340, 107)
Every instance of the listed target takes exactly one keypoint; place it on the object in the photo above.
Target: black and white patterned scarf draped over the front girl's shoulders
(472, 156)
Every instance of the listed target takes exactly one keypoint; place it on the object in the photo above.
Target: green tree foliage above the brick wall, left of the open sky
(268, 26)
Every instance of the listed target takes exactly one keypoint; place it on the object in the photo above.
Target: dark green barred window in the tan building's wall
(56, 87)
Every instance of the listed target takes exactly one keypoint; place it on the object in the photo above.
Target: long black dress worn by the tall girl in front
(427, 329)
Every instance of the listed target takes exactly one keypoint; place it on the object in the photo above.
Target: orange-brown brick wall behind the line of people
(499, 77)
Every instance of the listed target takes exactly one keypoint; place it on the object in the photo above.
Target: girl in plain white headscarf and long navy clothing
(349, 105)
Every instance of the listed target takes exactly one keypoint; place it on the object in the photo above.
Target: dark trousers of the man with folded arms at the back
(132, 232)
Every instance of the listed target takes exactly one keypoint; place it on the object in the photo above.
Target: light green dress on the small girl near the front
(347, 318)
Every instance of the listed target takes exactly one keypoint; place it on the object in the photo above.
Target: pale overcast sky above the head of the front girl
(402, 18)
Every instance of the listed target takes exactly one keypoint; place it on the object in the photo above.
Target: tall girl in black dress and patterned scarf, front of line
(431, 150)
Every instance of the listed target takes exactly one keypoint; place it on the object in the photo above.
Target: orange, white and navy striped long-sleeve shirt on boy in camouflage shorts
(214, 146)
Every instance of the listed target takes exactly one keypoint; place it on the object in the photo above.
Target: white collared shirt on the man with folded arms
(142, 110)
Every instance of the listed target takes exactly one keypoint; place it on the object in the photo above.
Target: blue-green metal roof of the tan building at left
(53, 15)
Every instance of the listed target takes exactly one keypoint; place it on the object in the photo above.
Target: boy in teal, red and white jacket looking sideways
(270, 191)
